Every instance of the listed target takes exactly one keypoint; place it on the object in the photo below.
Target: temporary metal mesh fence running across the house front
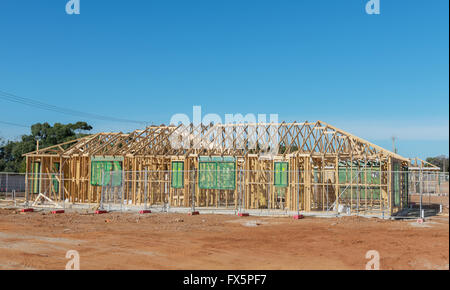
(354, 191)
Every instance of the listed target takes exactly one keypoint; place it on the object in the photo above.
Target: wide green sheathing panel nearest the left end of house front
(113, 173)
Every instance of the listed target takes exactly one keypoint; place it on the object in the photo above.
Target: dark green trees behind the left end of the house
(11, 159)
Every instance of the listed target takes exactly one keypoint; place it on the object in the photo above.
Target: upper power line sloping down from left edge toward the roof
(44, 106)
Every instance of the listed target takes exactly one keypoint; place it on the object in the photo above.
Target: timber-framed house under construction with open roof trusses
(307, 167)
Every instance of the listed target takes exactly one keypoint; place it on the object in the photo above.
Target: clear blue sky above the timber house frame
(376, 76)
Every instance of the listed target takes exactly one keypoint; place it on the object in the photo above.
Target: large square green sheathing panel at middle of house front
(217, 173)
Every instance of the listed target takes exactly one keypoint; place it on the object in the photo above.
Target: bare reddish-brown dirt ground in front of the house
(177, 241)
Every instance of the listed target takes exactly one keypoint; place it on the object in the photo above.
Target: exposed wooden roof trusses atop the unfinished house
(289, 139)
